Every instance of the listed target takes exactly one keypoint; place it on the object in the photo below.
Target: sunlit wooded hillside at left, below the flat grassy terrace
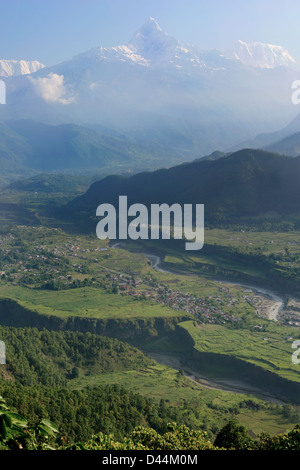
(50, 358)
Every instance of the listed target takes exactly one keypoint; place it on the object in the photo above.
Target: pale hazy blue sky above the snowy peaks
(54, 30)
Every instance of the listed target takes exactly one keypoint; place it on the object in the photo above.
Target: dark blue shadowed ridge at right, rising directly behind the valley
(246, 184)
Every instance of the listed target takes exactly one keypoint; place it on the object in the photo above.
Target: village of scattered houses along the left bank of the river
(70, 265)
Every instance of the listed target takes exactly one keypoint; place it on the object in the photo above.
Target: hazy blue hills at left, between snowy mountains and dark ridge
(28, 147)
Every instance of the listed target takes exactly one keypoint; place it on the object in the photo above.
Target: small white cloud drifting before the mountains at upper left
(52, 88)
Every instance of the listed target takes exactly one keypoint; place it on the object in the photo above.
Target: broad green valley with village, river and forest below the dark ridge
(194, 337)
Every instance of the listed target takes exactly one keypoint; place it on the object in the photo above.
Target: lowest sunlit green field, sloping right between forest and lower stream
(211, 408)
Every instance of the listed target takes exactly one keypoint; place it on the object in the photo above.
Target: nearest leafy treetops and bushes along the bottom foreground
(17, 434)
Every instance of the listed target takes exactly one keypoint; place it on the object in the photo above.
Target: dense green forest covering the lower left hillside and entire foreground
(38, 409)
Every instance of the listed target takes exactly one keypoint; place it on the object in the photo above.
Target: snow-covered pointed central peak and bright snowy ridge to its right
(152, 47)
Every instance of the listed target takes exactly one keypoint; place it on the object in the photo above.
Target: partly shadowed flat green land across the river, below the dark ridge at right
(270, 259)
